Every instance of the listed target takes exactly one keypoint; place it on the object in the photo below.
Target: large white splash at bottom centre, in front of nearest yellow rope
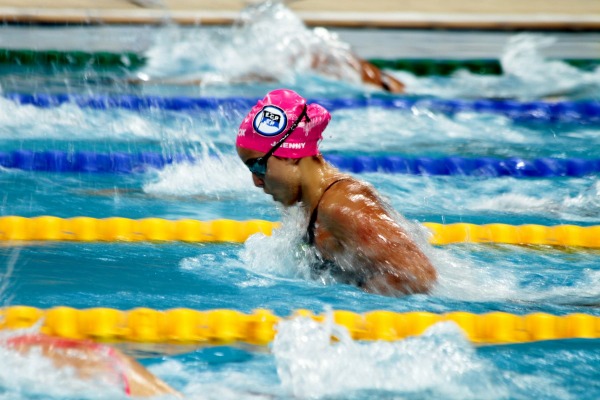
(307, 364)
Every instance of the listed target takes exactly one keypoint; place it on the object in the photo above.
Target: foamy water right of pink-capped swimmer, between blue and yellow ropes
(570, 200)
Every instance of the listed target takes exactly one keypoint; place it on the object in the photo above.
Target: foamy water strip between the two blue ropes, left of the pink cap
(68, 122)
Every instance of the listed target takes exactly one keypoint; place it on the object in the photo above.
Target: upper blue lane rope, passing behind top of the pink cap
(581, 112)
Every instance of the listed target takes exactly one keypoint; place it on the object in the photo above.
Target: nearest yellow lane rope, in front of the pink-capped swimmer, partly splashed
(184, 325)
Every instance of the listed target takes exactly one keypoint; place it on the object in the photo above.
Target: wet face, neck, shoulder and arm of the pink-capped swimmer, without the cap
(354, 228)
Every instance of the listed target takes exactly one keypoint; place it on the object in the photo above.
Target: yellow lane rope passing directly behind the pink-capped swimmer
(50, 228)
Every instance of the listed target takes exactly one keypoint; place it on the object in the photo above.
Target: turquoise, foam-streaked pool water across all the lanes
(267, 272)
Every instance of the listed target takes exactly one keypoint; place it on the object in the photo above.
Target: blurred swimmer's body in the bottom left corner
(94, 361)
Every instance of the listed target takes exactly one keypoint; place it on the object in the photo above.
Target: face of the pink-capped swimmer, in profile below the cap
(281, 180)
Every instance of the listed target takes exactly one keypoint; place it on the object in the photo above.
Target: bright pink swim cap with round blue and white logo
(271, 117)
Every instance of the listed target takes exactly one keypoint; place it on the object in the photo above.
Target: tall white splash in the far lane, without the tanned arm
(247, 51)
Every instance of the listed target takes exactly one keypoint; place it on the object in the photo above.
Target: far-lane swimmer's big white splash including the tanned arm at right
(269, 43)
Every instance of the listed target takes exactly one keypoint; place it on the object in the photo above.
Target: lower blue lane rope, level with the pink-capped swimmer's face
(118, 162)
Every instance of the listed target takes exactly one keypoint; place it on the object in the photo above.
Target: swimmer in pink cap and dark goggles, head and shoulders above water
(355, 236)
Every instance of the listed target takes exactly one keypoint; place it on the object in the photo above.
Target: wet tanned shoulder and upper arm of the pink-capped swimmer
(360, 224)
